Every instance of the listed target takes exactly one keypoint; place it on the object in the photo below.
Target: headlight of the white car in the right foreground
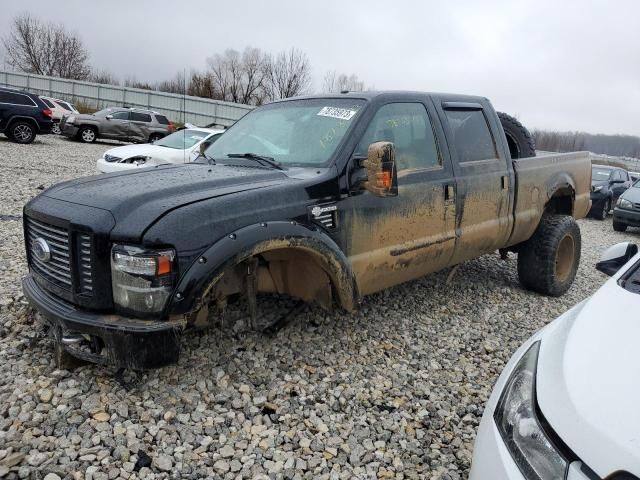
(529, 445)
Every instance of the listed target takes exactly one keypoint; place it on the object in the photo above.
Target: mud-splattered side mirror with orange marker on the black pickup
(382, 177)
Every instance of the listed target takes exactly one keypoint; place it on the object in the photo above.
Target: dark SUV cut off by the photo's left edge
(23, 115)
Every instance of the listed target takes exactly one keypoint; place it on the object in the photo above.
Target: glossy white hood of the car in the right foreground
(588, 380)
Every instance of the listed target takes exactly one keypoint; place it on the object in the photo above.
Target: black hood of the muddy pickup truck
(136, 199)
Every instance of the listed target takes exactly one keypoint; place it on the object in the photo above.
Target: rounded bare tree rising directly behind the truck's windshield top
(287, 75)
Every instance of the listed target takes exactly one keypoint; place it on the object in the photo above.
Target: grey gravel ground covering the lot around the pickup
(395, 390)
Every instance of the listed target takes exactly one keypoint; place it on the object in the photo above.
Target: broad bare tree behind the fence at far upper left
(45, 49)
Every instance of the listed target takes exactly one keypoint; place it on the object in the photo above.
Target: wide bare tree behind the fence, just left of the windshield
(239, 77)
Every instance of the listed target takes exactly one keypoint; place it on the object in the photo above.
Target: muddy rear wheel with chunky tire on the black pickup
(548, 261)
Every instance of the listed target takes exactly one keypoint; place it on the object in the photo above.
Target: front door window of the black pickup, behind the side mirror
(407, 125)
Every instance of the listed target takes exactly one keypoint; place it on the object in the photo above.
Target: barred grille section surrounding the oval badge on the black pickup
(57, 268)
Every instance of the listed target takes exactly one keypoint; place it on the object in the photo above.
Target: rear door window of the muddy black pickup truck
(471, 135)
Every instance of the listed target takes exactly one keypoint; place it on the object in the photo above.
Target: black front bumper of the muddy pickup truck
(110, 339)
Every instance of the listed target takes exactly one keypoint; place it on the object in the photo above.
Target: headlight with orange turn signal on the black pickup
(142, 280)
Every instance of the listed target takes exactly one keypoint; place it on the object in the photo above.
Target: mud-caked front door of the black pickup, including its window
(394, 239)
